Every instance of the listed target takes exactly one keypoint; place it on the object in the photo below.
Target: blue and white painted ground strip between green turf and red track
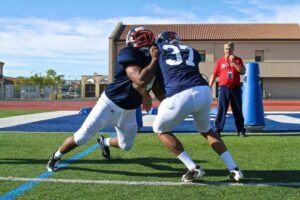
(70, 121)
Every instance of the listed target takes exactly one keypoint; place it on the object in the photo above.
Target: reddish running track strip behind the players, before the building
(269, 105)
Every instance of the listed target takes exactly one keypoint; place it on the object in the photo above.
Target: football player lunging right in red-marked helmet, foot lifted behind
(135, 68)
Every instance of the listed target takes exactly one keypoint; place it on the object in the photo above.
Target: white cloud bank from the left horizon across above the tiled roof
(80, 46)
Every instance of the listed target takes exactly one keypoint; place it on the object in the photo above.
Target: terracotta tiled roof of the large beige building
(222, 31)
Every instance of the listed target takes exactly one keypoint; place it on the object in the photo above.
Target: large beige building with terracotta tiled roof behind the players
(276, 47)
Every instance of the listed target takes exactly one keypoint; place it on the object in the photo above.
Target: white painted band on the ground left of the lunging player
(24, 119)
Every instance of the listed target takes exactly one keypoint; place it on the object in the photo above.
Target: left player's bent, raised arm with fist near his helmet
(142, 76)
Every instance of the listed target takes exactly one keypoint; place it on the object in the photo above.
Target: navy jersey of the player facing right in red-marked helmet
(121, 91)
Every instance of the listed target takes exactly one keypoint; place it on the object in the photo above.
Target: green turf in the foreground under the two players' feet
(270, 165)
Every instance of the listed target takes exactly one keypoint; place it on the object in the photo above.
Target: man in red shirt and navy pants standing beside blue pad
(229, 68)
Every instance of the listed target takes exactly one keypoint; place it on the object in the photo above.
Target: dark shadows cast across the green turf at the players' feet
(162, 165)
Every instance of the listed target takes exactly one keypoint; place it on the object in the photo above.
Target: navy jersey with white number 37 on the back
(179, 67)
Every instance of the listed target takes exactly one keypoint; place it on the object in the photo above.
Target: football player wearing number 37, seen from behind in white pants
(187, 93)
